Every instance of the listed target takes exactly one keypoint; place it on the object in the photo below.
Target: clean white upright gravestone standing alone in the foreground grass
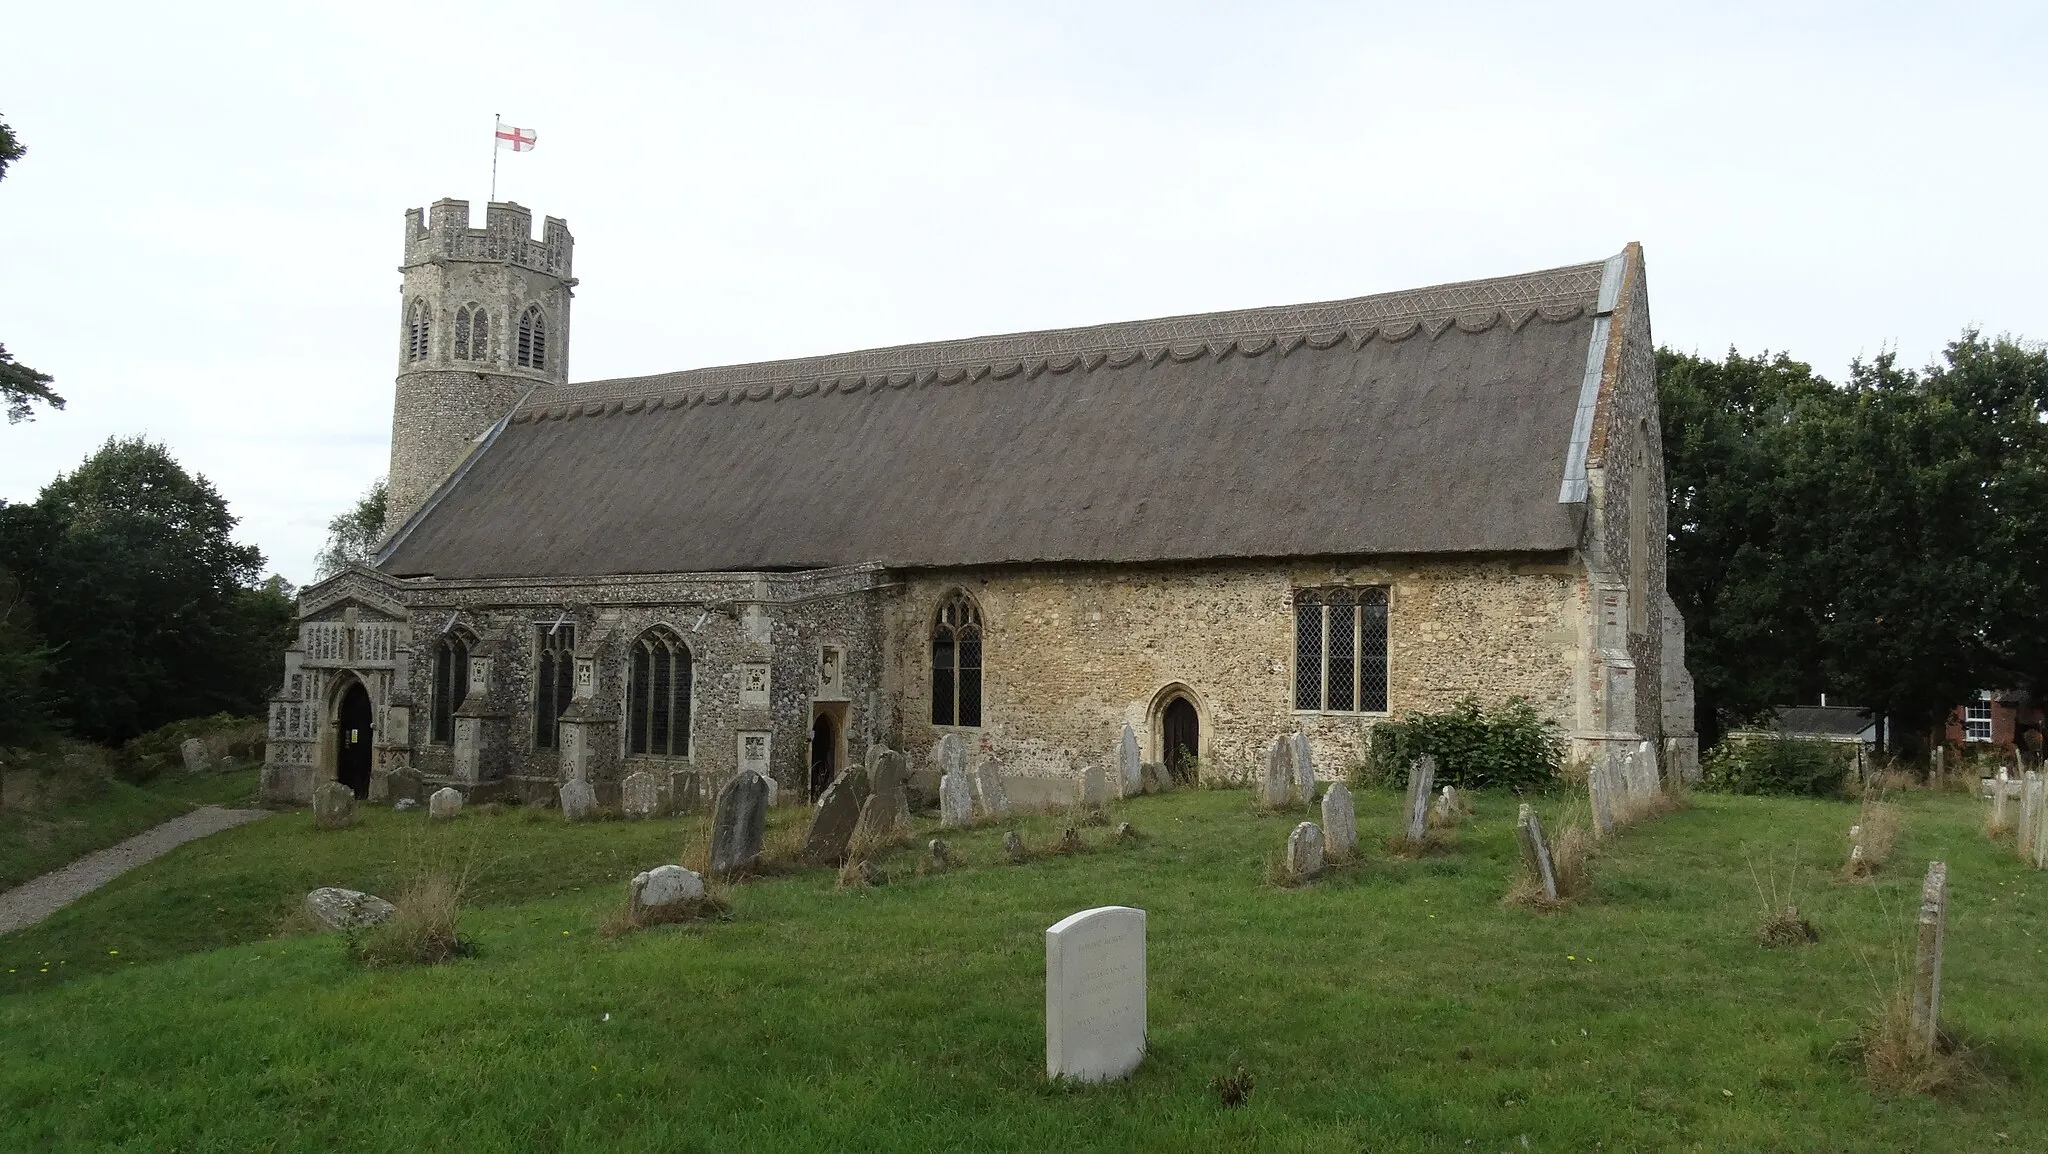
(1095, 995)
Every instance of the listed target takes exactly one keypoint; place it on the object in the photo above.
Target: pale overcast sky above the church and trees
(202, 245)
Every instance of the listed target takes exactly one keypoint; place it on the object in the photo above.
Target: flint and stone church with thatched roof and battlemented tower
(1215, 530)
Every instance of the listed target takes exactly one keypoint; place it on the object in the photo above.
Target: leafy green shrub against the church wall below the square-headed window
(1510, 747)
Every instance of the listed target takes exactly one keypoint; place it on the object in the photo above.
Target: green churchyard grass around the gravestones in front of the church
(1396, 1005)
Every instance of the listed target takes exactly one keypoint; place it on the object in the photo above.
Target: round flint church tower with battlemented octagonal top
(484, 317)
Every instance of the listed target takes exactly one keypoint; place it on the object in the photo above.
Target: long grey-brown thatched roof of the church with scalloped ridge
(1433, 421)
